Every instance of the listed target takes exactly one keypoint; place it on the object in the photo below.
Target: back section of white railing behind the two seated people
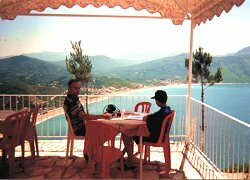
(51, 121)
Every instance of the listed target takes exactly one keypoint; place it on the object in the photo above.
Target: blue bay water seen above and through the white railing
(232, 99)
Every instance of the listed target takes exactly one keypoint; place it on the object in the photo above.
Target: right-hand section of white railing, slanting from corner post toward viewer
(224, 142)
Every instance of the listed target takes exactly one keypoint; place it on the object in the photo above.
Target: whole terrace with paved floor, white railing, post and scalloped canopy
(222, 148)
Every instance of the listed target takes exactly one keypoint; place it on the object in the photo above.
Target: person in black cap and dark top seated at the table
(153, 121)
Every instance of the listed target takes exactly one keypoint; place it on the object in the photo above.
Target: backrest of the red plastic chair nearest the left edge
(14, 127)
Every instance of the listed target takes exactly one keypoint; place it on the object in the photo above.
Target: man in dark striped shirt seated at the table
(76, 111)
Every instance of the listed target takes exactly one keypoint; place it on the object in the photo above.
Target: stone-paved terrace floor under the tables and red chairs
(52, 164)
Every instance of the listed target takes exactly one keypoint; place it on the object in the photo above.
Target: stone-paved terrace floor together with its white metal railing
(210, 154)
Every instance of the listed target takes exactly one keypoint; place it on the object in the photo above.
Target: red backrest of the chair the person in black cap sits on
(165, 127)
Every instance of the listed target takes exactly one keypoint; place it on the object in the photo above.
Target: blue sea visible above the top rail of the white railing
(232, 99)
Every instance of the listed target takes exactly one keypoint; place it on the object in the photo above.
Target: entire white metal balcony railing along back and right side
(222, 140)
